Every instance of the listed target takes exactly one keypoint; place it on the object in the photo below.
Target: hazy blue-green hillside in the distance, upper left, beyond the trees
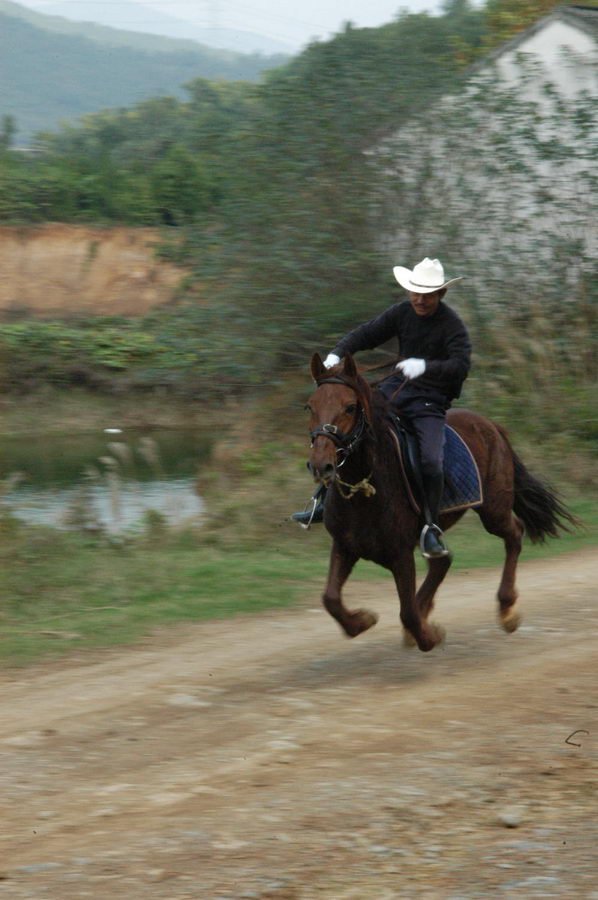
(48, 77)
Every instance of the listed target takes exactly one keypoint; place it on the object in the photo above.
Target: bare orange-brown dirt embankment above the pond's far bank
(59, 269)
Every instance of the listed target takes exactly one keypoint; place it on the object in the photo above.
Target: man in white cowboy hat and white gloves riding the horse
(436, 351)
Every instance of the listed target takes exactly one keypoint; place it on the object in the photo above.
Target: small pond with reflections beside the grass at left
(104, 480)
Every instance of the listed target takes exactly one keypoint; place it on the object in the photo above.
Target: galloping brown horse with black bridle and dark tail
(368, 513)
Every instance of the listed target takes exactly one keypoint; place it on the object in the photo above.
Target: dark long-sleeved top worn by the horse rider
(440, 339)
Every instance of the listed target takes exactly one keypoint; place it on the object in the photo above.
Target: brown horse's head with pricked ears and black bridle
(340, 413)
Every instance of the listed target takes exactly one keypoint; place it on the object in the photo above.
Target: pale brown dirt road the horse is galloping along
(269, 757)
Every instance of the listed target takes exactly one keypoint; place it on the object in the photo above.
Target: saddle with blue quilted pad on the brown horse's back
(462, 483)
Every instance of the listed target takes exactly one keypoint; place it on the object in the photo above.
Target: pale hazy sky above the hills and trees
(289, 21)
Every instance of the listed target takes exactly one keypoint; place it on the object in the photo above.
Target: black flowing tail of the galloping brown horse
(537, 504)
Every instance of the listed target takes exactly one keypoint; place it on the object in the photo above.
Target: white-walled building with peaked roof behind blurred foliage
(505, 170)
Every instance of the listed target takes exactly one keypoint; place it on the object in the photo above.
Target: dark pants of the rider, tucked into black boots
(427, 416)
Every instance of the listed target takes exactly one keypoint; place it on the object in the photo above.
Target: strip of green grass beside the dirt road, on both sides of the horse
(64, 591)
